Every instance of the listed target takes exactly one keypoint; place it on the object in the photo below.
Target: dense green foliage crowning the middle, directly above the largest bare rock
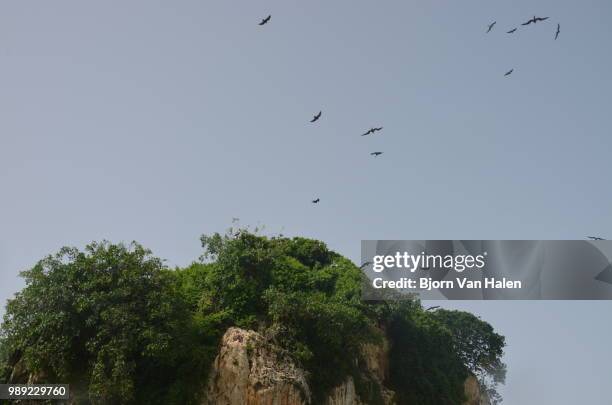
(304, 296)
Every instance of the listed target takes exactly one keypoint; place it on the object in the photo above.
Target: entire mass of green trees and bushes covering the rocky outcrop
(122, 328)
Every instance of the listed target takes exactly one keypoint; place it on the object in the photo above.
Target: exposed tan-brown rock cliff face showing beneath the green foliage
(250, 371)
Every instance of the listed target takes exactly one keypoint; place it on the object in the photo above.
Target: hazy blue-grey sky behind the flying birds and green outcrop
(159, 121)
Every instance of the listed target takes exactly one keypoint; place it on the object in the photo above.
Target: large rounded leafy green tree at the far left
(106, 320)
